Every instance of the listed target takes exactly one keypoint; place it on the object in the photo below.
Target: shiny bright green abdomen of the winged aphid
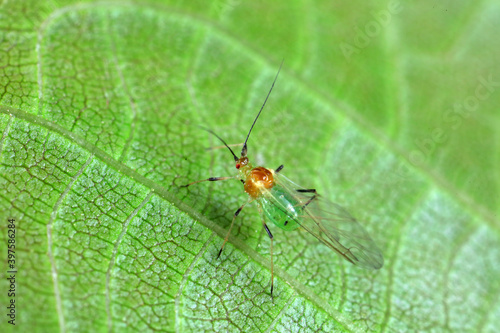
(285, 212)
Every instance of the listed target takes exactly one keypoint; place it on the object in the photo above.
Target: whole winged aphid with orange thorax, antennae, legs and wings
(289, 206)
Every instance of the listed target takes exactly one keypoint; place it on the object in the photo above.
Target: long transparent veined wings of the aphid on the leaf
(331, 224)
